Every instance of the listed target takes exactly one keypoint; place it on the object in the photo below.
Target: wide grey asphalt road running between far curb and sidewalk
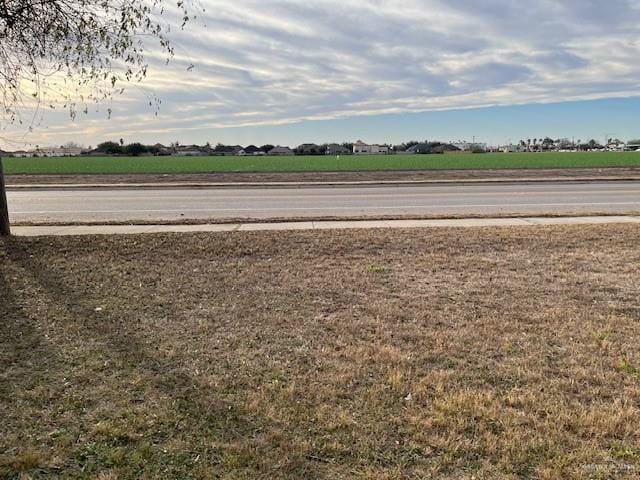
(108, 204)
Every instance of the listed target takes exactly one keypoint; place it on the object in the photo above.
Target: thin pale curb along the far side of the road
(372, 183)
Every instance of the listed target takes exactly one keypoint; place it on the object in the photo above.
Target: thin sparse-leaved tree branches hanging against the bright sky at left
(76, 52)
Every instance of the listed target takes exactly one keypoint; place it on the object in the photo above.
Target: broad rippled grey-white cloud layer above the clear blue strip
(261, 62)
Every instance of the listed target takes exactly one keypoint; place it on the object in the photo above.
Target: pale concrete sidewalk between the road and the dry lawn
(30, 231)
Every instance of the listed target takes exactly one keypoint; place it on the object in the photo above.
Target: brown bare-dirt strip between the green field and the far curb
(398, 176)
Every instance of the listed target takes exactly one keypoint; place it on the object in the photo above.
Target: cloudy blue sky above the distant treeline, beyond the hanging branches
(287, 72)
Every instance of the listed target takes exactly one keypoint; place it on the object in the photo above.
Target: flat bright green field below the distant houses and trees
(126, 165)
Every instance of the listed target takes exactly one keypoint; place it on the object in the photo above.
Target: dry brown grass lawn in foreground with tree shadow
(448, 354)
